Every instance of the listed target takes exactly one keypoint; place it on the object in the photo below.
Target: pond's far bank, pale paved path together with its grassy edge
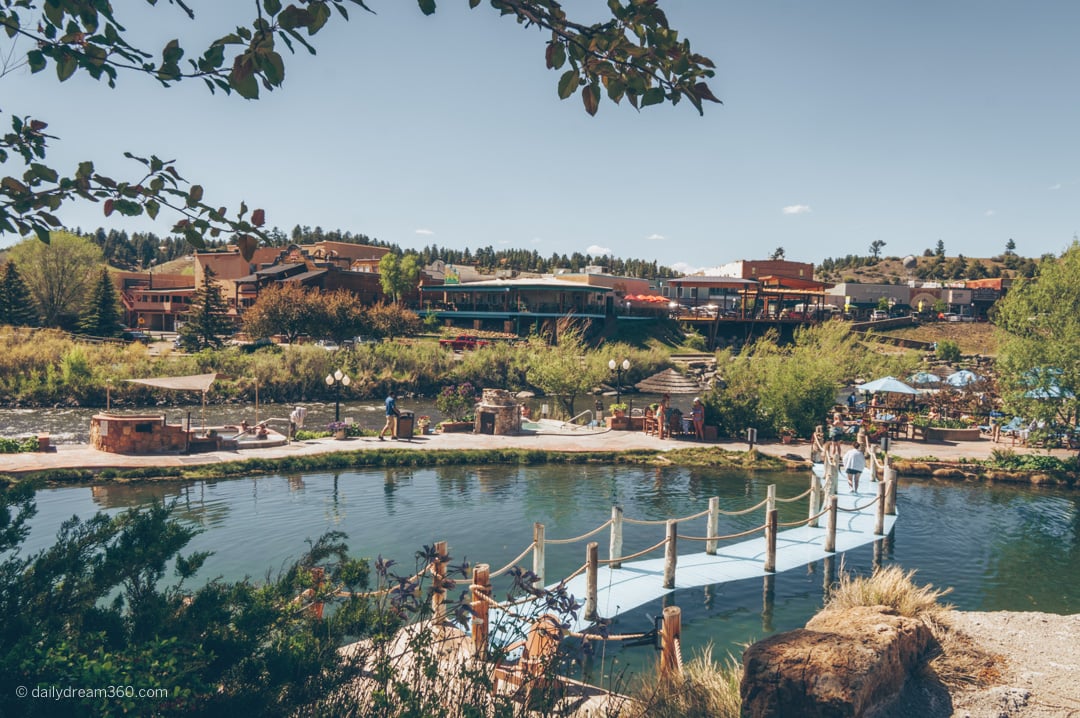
(614, 446)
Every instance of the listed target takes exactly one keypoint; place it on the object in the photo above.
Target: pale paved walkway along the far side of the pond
(82, 456)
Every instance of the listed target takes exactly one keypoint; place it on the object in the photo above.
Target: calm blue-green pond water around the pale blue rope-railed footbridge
(1001, 548)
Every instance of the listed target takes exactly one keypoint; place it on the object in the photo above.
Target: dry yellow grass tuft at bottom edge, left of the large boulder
(708, 688)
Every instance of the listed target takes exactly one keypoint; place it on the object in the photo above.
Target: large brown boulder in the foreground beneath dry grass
(843, 665)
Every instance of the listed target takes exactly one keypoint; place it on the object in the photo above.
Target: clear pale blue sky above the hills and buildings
(844, 123)
